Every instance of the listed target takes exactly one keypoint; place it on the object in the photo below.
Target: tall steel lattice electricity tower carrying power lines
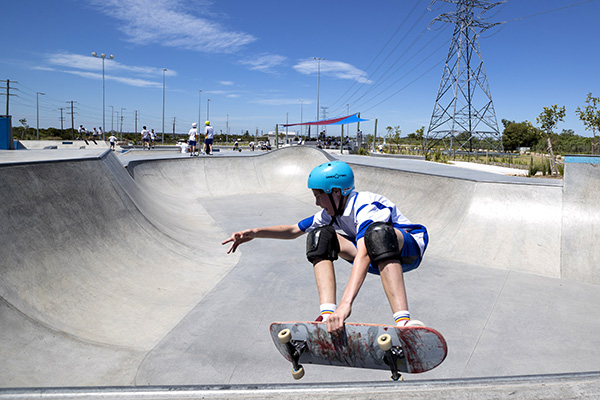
(464, 111)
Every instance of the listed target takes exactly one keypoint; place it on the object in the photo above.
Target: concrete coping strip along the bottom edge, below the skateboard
(581, 385)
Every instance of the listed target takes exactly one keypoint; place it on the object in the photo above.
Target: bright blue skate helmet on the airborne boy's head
(332, 174)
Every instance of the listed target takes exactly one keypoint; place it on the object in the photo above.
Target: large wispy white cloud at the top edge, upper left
(168, 23)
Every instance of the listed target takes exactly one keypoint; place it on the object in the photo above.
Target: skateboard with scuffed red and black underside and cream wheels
(412, 349)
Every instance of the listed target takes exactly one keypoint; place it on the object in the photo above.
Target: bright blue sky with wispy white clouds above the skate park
(255, 60)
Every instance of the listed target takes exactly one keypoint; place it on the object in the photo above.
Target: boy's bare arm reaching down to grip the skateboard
(335, 322)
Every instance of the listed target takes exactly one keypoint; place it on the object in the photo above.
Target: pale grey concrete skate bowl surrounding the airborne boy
(114, 276)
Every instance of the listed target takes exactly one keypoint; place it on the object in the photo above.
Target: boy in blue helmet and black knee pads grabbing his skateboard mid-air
(375, 237)
